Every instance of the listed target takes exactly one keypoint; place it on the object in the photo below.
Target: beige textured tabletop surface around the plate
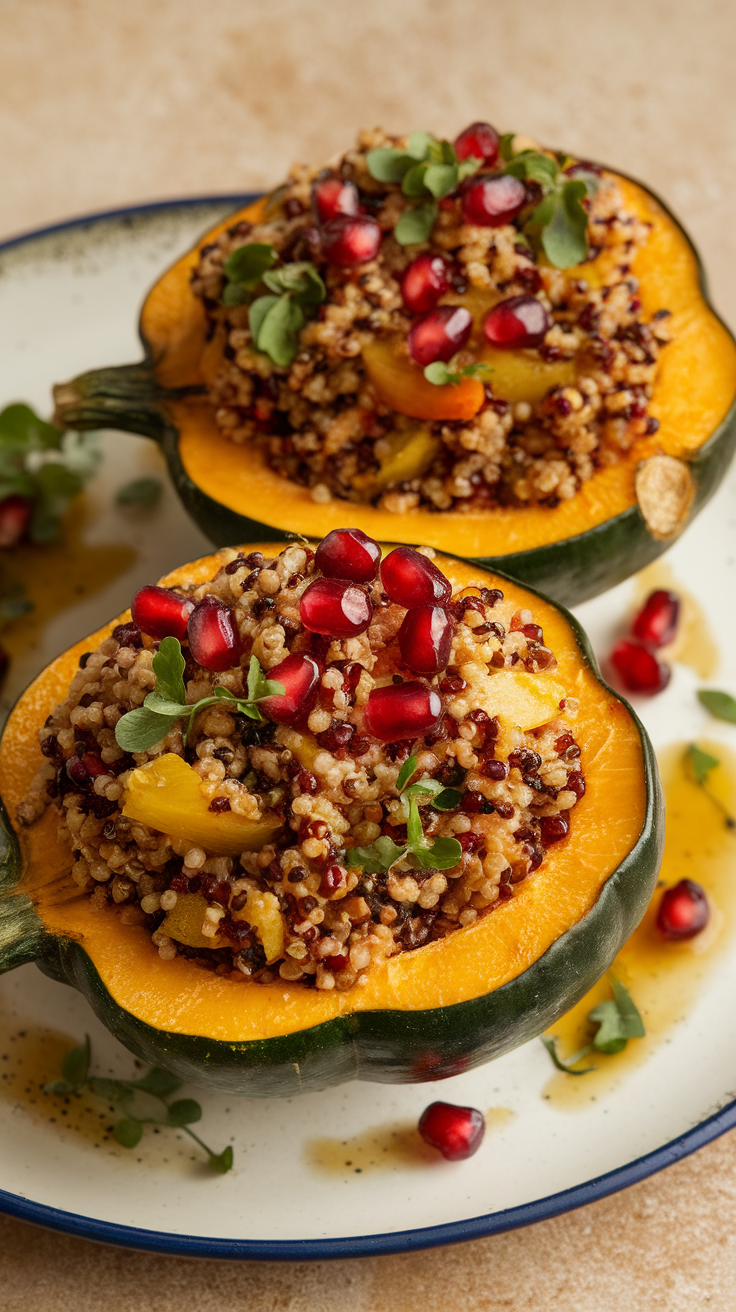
(106, 103)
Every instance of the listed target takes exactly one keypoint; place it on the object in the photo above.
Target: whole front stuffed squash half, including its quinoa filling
(302, 819)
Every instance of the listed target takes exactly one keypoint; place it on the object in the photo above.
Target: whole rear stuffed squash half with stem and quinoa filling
(485, 347)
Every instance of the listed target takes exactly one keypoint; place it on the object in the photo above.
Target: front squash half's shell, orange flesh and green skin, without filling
(424, 1015)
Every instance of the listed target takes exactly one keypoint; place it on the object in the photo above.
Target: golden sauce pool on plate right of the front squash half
(664, 978)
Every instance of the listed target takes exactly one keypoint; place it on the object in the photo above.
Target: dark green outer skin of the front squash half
(382, 1046)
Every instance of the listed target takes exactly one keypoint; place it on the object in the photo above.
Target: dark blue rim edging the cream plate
(355, 1246)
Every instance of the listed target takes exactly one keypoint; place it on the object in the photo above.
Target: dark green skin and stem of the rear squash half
(570, 571)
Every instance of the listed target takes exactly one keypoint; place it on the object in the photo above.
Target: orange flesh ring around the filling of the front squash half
(180, 999)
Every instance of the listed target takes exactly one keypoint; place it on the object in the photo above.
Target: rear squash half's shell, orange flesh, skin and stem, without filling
(619, 522)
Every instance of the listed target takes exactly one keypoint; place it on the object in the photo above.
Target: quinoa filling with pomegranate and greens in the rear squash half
(583, 355)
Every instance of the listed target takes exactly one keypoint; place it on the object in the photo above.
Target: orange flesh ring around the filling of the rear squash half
(693, 394)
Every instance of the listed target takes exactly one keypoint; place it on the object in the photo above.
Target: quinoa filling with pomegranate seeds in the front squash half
(376, 843)
